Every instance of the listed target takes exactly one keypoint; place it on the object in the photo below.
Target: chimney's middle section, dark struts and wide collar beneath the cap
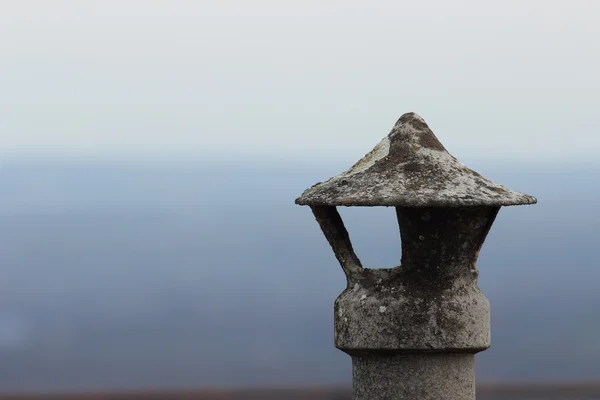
(431, 302)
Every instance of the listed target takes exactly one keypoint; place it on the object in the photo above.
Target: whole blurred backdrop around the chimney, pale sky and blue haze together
(151, 152)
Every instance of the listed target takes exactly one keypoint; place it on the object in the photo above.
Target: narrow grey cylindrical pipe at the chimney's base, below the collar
(414, 377)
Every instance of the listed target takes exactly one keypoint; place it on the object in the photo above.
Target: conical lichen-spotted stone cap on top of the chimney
(410, 168)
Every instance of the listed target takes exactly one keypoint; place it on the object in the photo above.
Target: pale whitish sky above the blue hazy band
(298, 79)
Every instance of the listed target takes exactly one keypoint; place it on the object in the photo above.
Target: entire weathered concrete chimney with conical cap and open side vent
(413, 330)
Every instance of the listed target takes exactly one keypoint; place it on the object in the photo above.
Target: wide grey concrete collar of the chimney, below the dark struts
(393, 319)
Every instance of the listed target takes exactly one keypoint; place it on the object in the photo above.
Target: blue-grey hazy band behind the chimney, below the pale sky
(120, 276)
